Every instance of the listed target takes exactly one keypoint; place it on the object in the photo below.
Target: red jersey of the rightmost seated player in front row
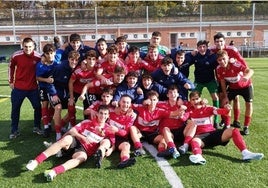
(203, 118)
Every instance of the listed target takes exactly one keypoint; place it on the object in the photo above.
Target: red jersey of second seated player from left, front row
(122, 122)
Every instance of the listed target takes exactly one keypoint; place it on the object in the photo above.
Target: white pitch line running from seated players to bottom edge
(170, 174)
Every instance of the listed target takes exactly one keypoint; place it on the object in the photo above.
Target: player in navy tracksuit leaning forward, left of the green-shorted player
(165, 77)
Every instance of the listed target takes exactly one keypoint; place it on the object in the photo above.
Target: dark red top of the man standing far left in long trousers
(22, 70)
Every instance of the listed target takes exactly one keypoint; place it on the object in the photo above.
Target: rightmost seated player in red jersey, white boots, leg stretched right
(207, 136)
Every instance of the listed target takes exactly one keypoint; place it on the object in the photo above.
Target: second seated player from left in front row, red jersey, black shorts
(123, 119)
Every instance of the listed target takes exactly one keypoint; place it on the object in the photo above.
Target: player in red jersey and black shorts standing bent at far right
(239, 78)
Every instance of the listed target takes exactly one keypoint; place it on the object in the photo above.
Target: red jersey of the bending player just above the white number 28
(82, 77)
